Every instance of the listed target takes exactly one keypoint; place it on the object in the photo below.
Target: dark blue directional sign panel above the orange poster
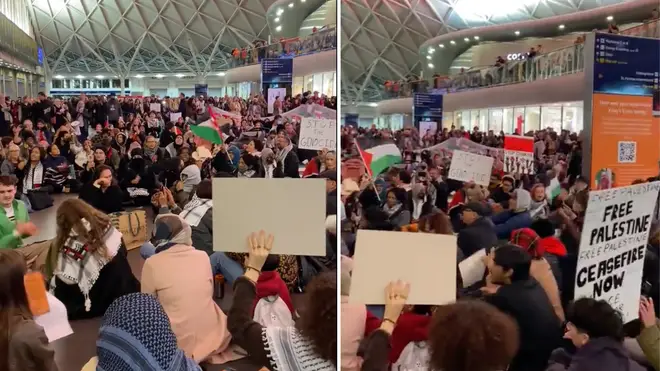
(626, 65)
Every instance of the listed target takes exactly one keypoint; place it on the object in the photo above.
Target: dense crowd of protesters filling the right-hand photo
(522, 315)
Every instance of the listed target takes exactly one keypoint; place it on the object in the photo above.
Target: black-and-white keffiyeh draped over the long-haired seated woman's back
(76, 265)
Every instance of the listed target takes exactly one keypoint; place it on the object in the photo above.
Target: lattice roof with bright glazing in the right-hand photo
(381, 38)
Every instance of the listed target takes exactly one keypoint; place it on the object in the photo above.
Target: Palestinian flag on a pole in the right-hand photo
(378, 154)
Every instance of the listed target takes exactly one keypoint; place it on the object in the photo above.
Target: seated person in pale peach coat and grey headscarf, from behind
(180, 277)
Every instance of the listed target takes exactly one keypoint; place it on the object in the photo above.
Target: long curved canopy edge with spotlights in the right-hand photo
(441, 51)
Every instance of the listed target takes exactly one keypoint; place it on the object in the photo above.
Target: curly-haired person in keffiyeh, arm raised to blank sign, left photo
(310, 345)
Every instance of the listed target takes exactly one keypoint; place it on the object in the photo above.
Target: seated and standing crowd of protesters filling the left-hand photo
(120, 154)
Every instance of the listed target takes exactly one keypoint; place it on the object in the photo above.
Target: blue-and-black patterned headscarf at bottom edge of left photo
(136, 334)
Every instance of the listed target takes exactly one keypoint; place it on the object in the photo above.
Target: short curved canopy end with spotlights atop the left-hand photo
(286, 16)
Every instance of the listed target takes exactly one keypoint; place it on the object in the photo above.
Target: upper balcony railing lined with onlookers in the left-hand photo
(322, 40)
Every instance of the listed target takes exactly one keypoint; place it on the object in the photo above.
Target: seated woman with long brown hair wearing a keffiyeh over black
(87, 263)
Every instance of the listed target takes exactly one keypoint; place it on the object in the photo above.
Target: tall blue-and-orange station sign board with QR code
(625, 123)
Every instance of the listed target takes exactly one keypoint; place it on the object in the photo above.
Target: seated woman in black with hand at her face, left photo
(102, 192)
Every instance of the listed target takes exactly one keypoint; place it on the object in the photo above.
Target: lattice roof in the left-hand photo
(124, 37)
